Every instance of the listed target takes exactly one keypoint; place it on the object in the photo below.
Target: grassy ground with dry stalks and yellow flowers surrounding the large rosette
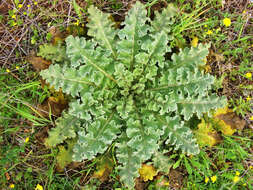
(25, 161)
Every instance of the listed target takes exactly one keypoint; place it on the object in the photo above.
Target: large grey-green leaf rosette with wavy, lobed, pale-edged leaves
(128, 92)
